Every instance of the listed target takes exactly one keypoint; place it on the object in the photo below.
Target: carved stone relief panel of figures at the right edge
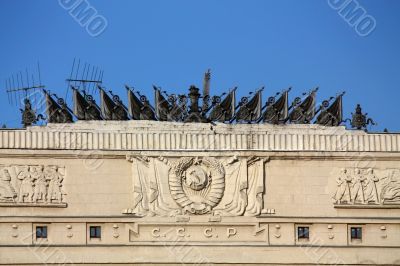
(365, 187)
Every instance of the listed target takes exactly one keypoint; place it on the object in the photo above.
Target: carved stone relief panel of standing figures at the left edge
(31, 185)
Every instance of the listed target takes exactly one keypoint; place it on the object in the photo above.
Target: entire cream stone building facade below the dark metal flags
(163, 192)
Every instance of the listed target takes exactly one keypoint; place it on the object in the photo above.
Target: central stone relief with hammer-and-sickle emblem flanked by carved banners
(230, 186)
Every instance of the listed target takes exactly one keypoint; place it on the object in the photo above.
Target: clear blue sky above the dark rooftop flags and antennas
(248, 44)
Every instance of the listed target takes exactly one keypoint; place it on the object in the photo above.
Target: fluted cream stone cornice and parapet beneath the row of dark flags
(153, 135)
